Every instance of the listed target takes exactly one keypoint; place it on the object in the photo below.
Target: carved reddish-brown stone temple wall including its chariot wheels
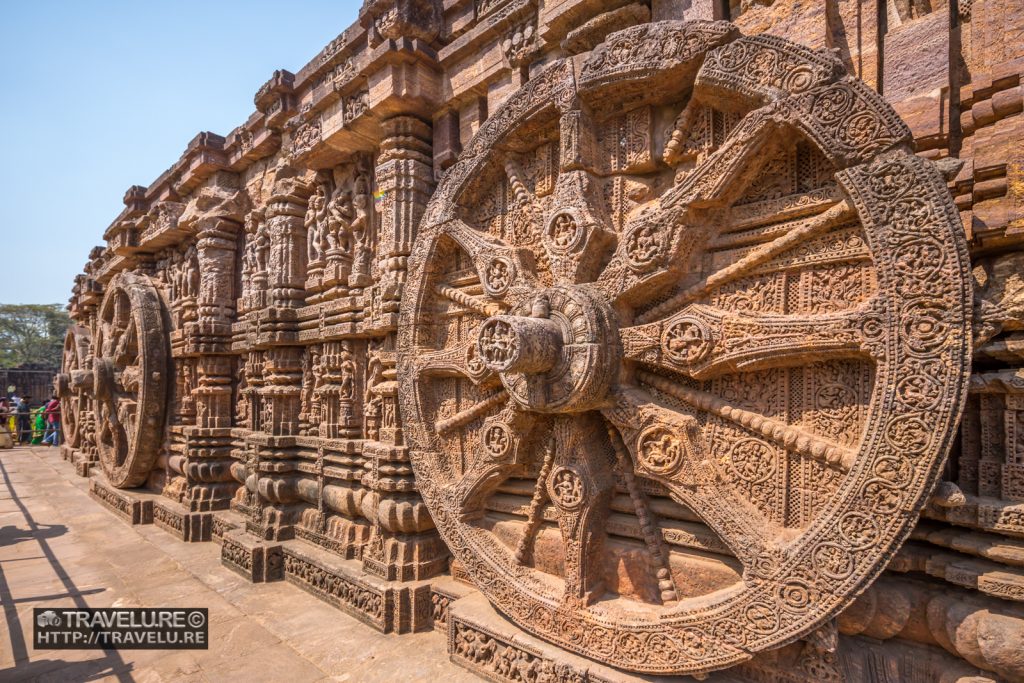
(613, 339)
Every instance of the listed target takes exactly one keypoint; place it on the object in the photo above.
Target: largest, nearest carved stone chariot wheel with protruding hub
(684, 349)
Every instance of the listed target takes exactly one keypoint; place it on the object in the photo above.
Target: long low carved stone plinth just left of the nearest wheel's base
(388, 607)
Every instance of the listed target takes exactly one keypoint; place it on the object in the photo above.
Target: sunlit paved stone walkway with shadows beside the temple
(60, 548)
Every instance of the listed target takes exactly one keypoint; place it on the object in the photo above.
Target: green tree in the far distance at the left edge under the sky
(32, 334)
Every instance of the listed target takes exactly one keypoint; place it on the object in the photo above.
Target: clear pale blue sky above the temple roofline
(98, 97)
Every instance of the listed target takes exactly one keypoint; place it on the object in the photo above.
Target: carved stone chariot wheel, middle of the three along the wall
(131, 379)
